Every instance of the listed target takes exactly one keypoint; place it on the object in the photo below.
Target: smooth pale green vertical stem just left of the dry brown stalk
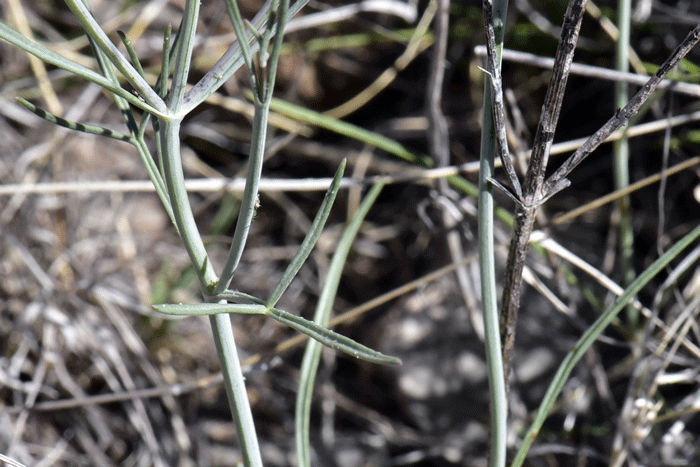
(494, 358)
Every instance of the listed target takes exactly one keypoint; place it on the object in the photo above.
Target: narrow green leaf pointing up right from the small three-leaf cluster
(311, 238)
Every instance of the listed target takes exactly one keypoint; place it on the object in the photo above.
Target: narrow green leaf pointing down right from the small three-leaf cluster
(331, 338)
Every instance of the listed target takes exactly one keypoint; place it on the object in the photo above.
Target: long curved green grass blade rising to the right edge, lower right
(591, 335)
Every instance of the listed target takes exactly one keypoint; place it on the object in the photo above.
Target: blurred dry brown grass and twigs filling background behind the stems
(91, 375)
